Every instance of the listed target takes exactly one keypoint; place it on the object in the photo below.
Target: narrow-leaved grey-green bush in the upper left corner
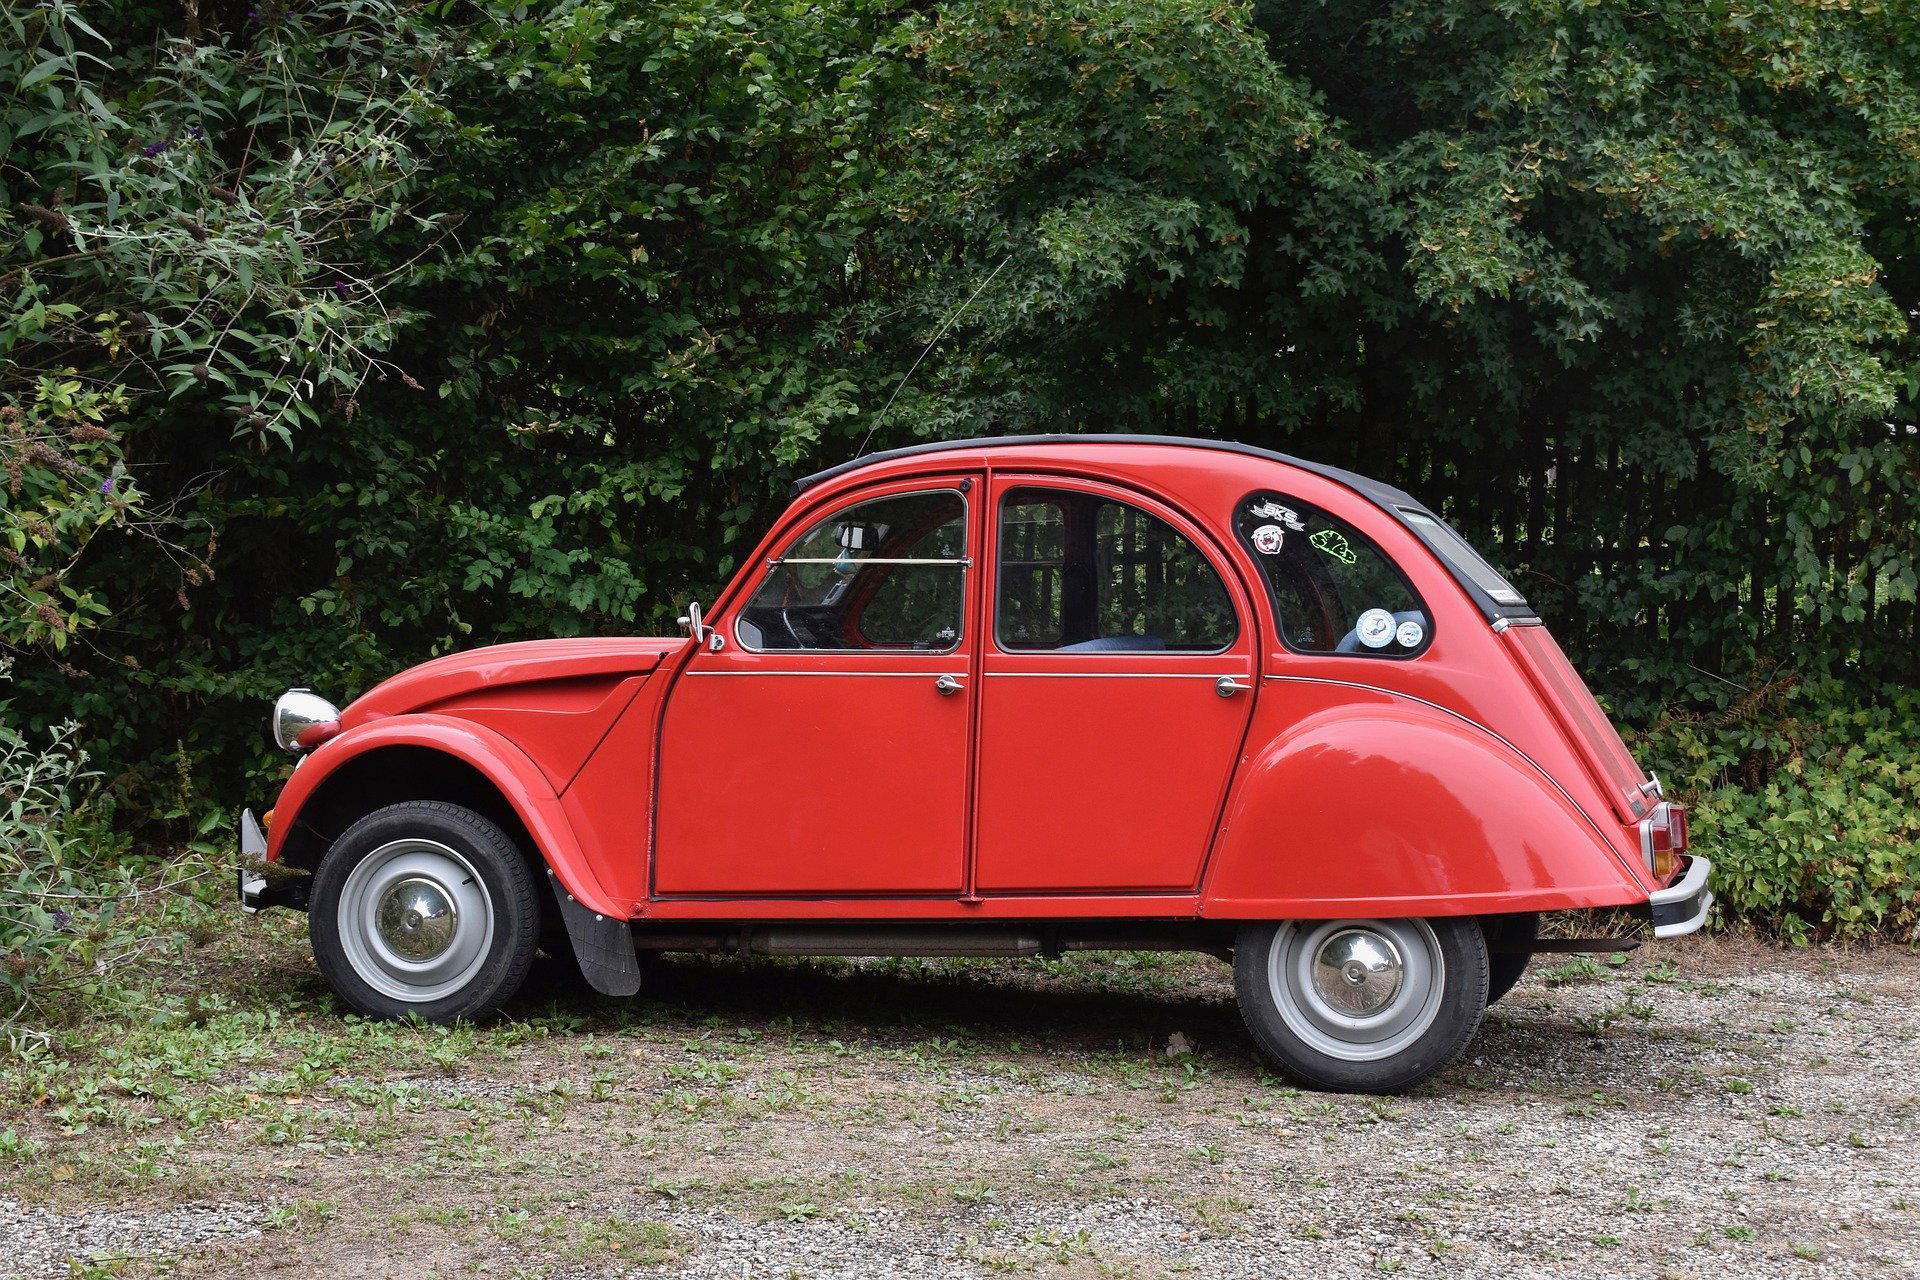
(176, 224)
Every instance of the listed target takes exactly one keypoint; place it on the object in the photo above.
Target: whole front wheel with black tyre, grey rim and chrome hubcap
(412, 878)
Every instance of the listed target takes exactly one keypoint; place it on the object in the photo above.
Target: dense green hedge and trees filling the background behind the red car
(345, 337)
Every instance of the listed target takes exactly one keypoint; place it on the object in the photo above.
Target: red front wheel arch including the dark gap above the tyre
(429, 759)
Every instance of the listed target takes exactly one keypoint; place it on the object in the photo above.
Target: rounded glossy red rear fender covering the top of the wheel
(1397, 809)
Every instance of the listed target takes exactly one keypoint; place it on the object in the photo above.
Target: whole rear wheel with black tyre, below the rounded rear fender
(1429, 982)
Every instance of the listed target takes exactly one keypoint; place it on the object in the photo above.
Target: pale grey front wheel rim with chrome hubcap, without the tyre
(416, 920)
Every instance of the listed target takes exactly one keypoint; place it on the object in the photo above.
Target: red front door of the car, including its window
(825, 749)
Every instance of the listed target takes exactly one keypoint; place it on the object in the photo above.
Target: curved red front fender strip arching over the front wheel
(504, 765)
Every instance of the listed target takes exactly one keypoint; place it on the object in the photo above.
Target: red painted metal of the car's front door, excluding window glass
(809, 772)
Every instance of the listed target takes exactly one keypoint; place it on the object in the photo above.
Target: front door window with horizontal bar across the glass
(882, 575)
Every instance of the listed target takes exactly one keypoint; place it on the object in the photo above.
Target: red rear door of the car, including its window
(1118, 675)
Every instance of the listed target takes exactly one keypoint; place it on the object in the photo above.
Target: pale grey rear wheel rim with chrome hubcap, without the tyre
(1356, 989)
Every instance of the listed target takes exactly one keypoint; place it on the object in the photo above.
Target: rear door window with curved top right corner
(1086, 573)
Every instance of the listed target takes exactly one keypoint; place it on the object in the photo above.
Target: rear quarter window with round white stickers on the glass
(1333, 588)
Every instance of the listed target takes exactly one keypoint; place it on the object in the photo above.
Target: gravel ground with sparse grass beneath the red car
(1704, 1110)
